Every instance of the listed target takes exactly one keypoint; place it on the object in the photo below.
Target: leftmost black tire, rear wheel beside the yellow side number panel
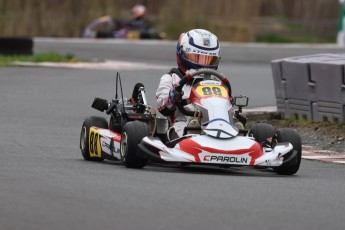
(84, 135)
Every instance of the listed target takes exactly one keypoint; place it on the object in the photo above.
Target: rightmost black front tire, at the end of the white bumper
(291, 165)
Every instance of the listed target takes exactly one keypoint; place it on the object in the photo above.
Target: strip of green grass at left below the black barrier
(6, 60)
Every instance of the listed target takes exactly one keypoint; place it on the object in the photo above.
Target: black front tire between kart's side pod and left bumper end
(133, 133)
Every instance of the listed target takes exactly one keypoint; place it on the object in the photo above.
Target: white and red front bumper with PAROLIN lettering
(226, 154)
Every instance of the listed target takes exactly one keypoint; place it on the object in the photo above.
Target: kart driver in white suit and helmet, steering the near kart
(197, 48)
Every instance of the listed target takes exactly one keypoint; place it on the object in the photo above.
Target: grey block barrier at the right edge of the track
(310, 87)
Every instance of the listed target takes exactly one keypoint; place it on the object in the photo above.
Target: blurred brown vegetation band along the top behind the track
(283, 21)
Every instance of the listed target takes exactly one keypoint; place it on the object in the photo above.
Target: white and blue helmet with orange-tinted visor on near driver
(197, 49)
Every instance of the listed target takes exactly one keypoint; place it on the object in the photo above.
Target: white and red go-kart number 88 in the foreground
(136, 135)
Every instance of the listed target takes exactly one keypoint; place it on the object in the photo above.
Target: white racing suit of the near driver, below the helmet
(165, 107)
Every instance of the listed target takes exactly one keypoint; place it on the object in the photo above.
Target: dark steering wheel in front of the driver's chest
(189, 77)
